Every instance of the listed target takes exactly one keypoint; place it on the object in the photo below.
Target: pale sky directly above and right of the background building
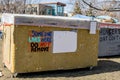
(68, 8)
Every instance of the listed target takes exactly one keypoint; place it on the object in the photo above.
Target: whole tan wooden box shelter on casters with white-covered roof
(42, 43)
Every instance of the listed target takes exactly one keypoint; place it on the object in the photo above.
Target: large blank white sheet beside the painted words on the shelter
(64, 41)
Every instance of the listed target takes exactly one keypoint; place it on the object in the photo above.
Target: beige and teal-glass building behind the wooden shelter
(54, 8)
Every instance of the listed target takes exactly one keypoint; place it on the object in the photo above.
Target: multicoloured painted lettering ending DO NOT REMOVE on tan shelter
(40, 41)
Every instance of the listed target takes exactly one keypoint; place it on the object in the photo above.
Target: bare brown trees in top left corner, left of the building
(12, 6)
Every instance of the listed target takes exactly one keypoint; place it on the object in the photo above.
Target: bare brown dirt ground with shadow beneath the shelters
(107, 69)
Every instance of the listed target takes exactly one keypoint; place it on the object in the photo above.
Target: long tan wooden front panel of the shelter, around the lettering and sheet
(26, 61)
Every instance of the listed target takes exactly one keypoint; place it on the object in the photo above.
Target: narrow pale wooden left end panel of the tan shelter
(8, 47)
